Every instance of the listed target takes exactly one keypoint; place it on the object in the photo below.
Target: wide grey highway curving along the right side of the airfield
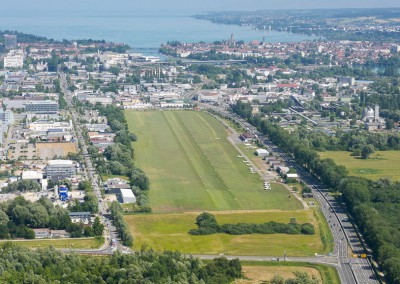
(351, 270)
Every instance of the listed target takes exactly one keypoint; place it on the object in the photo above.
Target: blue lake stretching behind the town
(139, 31)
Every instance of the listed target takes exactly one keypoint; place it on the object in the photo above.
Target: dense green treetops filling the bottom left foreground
(22, 265)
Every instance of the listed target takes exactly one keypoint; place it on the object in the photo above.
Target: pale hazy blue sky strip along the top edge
(186, 6)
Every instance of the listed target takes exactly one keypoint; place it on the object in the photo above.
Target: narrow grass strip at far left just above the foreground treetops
(81, 243)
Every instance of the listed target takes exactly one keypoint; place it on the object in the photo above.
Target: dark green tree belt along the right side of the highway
(375, 206)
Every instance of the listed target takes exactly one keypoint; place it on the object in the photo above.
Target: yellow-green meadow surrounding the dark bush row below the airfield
(170, 232)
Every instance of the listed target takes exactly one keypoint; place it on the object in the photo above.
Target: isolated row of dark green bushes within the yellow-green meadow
(207, 225)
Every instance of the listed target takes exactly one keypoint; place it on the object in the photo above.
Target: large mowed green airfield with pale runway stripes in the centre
(193, 167)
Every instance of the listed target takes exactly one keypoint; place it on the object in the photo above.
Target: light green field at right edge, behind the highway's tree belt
(381, 164)
